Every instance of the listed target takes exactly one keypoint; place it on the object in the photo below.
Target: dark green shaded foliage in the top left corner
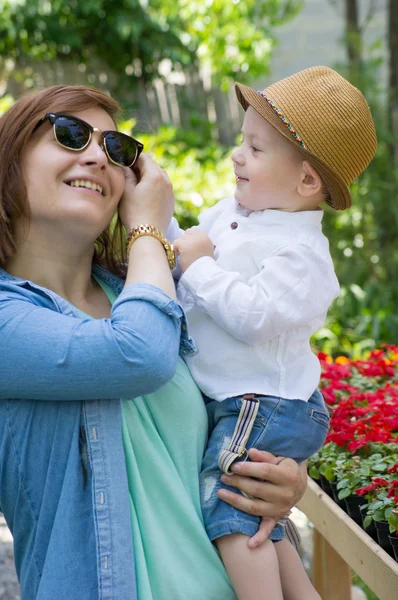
(115, 32)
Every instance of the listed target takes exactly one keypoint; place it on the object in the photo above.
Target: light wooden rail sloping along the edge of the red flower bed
(374, 566)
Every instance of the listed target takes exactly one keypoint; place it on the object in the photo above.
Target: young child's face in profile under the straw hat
(267, 167)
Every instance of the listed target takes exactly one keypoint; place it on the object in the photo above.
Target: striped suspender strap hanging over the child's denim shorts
(244, 425)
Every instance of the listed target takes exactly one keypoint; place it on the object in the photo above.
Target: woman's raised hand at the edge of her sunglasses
(148, 197)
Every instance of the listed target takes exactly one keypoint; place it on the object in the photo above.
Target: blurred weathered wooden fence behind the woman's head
(179, 99)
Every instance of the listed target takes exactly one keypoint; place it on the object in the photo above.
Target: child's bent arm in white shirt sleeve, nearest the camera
(293, 286)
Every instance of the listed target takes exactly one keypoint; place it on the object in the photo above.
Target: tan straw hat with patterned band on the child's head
(327, 118)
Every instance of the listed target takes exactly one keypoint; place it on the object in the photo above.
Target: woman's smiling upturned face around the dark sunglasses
(74, 192)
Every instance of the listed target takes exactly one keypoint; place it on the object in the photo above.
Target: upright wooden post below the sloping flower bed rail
(331, 576)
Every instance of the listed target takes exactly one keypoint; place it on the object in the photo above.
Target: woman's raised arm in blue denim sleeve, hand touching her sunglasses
(47, 355)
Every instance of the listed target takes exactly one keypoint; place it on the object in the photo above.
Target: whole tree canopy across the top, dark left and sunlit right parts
(132, 37)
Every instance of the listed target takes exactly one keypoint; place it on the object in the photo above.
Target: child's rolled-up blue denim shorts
(290, 428)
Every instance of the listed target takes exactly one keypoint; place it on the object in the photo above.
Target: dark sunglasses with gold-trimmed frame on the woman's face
(75, 134)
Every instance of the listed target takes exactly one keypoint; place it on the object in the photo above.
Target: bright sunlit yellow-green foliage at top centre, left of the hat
(229, 37)
